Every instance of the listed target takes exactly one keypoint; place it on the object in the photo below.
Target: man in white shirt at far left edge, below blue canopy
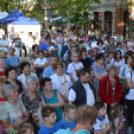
(4, 43)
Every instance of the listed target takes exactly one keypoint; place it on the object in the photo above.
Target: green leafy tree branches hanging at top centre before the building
(76, 11)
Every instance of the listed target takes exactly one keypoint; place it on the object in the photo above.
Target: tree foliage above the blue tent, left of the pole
(31, 8)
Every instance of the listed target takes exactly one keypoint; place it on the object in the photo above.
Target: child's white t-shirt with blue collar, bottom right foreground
(101, 123)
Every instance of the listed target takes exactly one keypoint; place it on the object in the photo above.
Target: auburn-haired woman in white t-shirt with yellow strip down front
(60, 81)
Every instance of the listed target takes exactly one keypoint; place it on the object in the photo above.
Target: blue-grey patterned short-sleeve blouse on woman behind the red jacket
(98, 70)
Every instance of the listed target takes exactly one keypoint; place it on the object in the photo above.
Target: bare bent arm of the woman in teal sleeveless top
(61, 102)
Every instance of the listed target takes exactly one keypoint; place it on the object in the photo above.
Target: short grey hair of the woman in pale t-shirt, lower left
(7, 90)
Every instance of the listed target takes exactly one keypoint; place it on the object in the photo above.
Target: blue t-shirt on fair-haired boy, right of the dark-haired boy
(65, 124)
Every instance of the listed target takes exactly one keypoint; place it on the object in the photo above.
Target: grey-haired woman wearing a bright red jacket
(110, 87)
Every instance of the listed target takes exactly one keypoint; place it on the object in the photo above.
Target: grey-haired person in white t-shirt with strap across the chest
(74, 66)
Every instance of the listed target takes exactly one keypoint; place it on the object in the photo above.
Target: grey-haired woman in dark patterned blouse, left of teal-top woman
(33, 100)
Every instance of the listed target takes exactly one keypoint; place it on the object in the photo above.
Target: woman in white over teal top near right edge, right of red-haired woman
(125, 68)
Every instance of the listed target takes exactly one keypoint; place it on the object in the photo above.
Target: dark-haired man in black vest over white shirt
(82, 91)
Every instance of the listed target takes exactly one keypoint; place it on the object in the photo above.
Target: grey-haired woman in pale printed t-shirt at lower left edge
(13, 113)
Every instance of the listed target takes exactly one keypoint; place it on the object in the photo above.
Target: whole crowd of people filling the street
(72, 83)
